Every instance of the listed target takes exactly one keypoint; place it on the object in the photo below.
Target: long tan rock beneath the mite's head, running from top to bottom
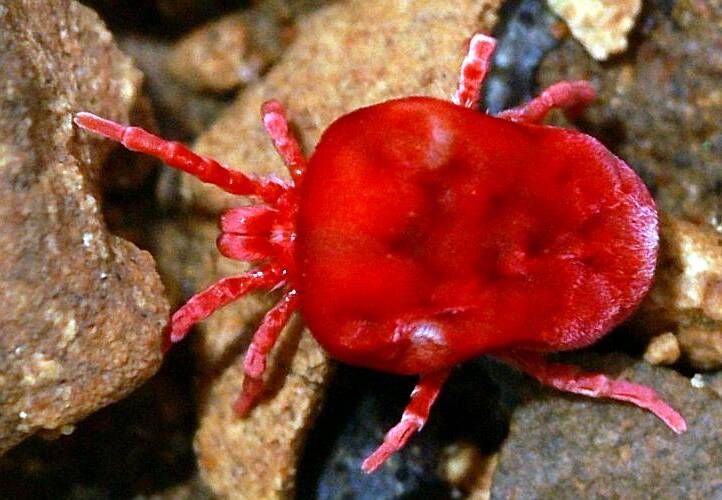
(345, 56)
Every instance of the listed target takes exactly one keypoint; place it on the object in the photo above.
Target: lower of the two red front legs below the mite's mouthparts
(254, 364)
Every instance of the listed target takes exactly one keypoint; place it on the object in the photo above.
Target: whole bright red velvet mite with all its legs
(422, 233)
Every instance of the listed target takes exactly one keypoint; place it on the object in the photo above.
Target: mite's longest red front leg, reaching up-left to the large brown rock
(177, 155)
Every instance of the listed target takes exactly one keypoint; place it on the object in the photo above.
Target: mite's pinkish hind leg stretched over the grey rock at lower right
(570, 378)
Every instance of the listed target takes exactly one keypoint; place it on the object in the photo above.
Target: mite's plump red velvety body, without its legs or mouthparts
(429, 233)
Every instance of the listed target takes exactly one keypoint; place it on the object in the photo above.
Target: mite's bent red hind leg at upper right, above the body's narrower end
(572, 97)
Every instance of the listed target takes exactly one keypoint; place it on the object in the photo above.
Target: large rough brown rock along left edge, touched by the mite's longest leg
(82, 310)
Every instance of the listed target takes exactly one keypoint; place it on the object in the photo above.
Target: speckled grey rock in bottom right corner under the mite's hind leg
(567, 446)
